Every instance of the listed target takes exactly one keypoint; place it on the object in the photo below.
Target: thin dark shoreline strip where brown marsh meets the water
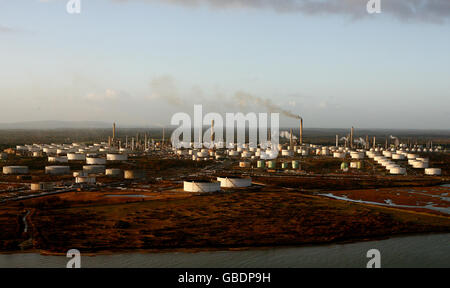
(223, 249)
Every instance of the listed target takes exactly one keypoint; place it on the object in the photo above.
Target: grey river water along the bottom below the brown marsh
(411, 251)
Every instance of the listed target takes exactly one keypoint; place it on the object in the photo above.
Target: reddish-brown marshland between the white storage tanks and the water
(259, 217)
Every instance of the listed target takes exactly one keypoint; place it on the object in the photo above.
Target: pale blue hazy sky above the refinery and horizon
(137, 62)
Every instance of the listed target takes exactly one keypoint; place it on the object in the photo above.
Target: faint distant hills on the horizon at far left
(44, 125)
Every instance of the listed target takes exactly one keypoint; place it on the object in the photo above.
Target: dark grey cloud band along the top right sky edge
(423, 10)
